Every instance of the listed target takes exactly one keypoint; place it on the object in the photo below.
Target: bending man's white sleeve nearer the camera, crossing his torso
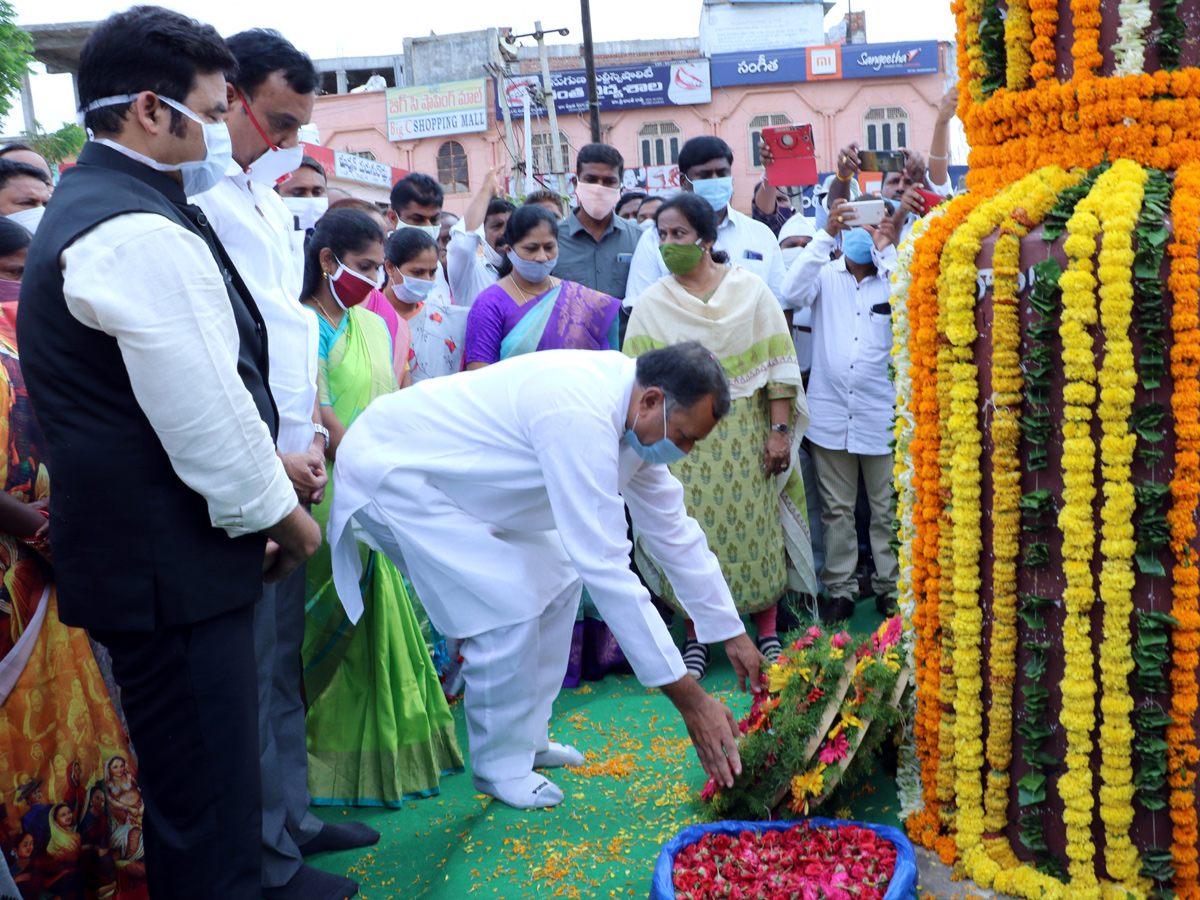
(578, 453)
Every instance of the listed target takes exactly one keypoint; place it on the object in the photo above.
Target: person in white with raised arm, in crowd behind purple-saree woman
(483, 226)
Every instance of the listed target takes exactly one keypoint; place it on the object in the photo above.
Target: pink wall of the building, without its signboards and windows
(835, 109)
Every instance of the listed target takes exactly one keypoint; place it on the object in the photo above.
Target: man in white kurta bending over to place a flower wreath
(500, 493)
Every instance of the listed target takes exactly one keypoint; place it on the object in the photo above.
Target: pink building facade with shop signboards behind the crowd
(655, 97)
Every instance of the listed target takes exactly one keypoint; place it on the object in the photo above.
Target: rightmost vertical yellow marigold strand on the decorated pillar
(1124, 187)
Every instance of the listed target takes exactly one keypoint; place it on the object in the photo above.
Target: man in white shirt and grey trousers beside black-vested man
(269, 100)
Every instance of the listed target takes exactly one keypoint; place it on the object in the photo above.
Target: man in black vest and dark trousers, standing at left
(146, 361)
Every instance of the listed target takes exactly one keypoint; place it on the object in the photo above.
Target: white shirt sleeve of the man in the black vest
(154, 286)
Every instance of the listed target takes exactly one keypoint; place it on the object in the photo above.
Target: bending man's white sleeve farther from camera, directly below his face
(679, 544)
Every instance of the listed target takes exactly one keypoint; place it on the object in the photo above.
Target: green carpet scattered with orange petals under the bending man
(602, 842)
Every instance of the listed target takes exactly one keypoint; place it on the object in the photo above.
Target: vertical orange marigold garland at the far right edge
(1181, 737)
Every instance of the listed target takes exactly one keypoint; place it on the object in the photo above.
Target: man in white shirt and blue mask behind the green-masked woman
(706, 167)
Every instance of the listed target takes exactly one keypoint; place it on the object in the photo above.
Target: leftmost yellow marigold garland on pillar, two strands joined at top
(979, 814)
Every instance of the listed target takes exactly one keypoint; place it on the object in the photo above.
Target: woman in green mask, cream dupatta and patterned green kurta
(742, 483)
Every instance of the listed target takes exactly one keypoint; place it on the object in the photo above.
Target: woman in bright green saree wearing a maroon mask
(380, 730)
